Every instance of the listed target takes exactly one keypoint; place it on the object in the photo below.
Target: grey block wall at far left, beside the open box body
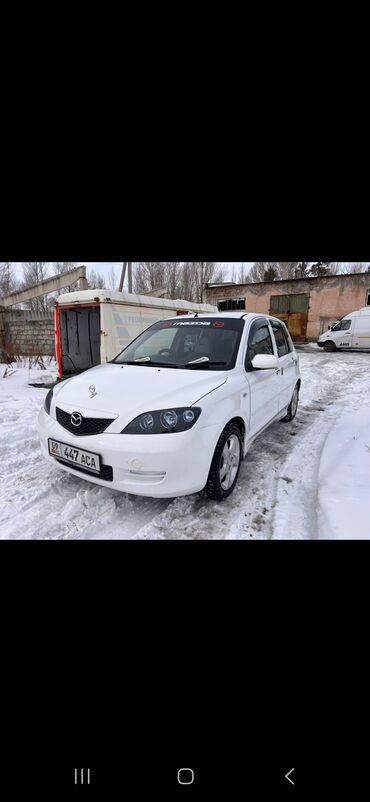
(27, 333)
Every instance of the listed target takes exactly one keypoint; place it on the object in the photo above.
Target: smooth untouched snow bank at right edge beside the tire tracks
(344, 479)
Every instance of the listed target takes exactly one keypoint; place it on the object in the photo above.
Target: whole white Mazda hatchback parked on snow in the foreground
(178, 409)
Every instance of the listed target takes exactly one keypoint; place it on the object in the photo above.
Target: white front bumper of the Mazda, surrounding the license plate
(159, 466)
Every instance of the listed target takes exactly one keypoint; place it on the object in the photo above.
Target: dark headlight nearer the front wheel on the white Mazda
(163, 421)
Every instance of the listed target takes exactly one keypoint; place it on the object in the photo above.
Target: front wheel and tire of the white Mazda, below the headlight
(225, 466)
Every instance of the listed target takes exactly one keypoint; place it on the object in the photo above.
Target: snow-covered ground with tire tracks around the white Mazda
(307, 479)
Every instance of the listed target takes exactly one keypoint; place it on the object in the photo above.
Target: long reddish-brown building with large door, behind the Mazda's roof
(308, 306)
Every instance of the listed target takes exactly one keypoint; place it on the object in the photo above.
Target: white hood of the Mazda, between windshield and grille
(125, 391)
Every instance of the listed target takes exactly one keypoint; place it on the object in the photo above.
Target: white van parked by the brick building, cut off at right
(353, 331)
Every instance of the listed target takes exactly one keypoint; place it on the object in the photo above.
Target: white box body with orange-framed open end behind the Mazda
(93, 326)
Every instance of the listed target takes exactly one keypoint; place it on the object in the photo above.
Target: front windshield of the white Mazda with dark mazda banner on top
(191, 343)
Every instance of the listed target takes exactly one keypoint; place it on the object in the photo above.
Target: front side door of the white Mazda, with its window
(264, 385)
